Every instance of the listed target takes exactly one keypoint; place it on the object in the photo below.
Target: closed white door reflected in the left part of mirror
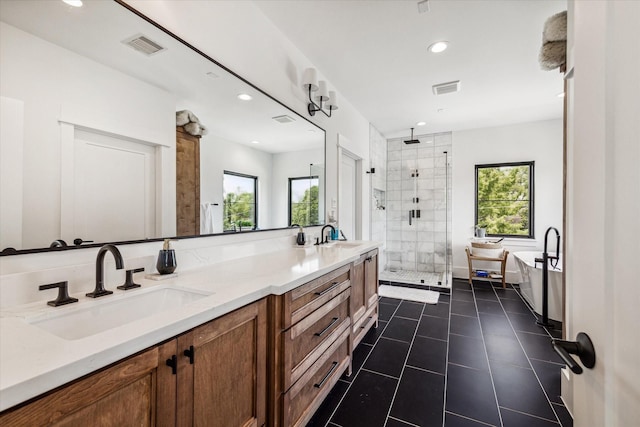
(115, 199)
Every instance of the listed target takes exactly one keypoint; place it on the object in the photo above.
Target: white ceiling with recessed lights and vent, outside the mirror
(375, 54)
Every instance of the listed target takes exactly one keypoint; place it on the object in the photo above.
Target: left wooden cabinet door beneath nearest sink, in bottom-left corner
(131, 392)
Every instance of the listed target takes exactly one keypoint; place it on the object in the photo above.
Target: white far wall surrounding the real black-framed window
(537, 141)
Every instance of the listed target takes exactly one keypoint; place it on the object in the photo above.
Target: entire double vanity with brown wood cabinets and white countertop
(251, 341)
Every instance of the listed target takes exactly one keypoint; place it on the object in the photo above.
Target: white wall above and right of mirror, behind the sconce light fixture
(241, 38)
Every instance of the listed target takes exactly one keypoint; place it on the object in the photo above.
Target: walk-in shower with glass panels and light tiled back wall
(418, 213)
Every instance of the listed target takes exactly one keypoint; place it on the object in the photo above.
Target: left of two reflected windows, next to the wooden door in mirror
(240, 201)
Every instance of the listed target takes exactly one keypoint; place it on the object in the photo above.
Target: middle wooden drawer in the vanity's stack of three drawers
(305, 340)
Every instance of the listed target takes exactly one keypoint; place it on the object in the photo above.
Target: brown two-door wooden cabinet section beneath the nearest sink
(224, 386)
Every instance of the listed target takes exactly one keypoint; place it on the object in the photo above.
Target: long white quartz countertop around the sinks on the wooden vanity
(33, 360)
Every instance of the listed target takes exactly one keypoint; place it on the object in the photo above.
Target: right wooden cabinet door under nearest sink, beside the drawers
(228, 376)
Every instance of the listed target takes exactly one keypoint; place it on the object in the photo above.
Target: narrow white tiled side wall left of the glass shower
(379, 208)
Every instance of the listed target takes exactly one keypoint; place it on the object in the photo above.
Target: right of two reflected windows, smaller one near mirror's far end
(303, 200)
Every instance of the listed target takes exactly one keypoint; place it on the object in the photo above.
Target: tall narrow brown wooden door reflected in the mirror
(188, 183)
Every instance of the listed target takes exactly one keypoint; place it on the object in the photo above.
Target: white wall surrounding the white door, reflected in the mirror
(68, 89)
